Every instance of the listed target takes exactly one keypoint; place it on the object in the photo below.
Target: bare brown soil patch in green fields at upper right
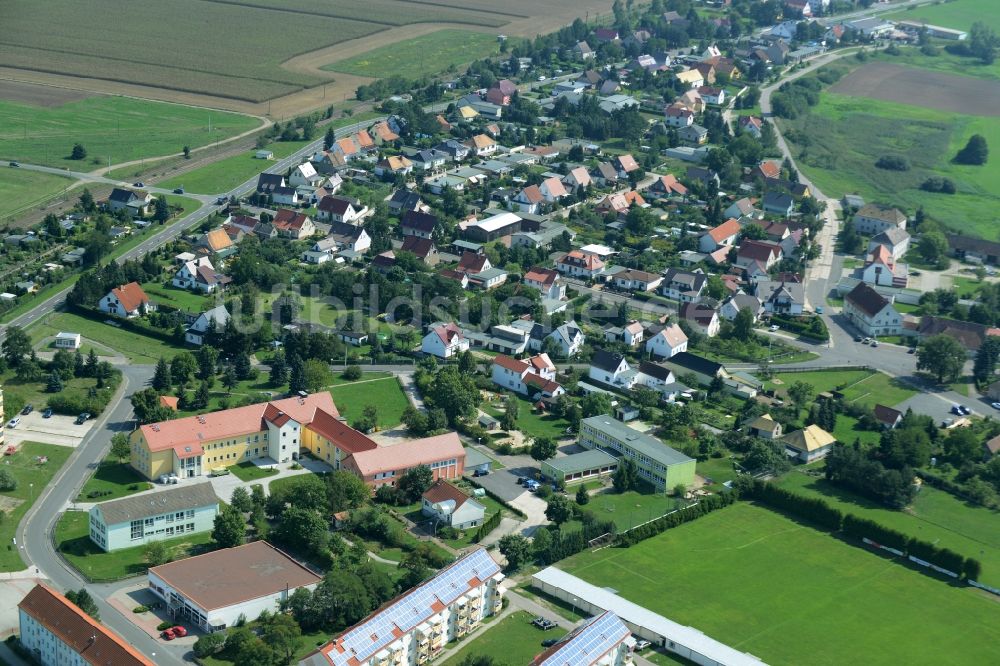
(920, 87)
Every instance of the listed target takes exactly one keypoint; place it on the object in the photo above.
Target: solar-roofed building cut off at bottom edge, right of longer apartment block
(603, 640)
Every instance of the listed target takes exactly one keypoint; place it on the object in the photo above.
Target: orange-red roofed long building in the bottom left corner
(52, 628)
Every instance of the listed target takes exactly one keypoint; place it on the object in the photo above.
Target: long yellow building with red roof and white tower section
(196, 445)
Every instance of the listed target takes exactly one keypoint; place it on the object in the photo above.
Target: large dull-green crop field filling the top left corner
(220, 48)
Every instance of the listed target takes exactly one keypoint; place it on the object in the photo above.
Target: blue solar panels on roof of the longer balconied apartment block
(410, 610)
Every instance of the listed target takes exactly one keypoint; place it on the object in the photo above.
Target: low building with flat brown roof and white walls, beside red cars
(213, 590)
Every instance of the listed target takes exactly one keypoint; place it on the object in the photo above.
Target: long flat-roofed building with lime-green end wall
(657, 463)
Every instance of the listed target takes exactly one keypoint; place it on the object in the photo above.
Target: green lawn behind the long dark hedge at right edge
(935, 516)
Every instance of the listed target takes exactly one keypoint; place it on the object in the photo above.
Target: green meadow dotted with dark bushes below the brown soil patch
(838, 142)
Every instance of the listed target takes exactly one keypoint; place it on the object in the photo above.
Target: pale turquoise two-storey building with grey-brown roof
(139, 519)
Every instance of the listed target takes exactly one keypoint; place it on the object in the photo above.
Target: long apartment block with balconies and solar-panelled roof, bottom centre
(416, 626)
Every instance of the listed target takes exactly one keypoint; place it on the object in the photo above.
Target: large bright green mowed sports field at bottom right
(790, 594)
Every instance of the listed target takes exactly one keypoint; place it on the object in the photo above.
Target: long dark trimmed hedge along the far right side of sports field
(818, 511)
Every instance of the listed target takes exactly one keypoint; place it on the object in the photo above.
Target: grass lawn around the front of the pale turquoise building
(73, 540)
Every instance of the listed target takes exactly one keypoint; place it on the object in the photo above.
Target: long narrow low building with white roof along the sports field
(686, 641)
